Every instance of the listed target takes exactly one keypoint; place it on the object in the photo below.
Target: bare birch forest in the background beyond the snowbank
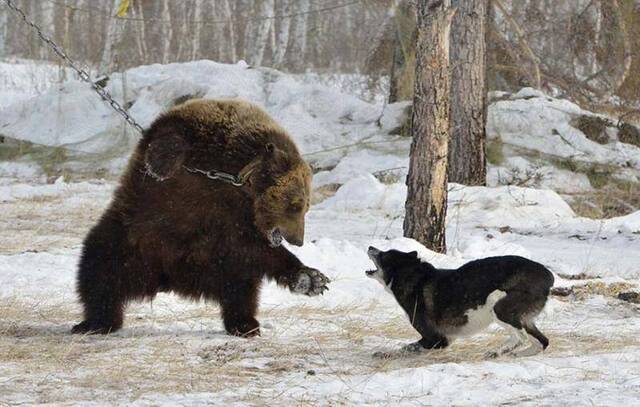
(587, 49)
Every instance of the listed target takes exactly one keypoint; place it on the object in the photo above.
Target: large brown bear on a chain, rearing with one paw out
(171, 228)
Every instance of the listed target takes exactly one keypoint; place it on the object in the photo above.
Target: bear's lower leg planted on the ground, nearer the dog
(239, 302)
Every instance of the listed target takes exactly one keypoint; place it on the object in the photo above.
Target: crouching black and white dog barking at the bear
(445, 304)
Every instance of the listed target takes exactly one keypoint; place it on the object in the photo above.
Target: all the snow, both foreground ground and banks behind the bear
(313, 351)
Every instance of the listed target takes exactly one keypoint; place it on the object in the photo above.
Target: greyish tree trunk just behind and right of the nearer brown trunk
(468, 93)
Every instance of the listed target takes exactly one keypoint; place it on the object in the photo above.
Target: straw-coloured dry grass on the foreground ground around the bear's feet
(154, 355)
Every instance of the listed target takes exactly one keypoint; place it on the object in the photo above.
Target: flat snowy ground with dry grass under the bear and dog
(320, 350)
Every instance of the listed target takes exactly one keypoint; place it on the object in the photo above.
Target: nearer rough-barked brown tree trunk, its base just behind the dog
(426, 205)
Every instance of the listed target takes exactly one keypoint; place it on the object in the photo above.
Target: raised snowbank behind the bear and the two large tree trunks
(533, 138)
